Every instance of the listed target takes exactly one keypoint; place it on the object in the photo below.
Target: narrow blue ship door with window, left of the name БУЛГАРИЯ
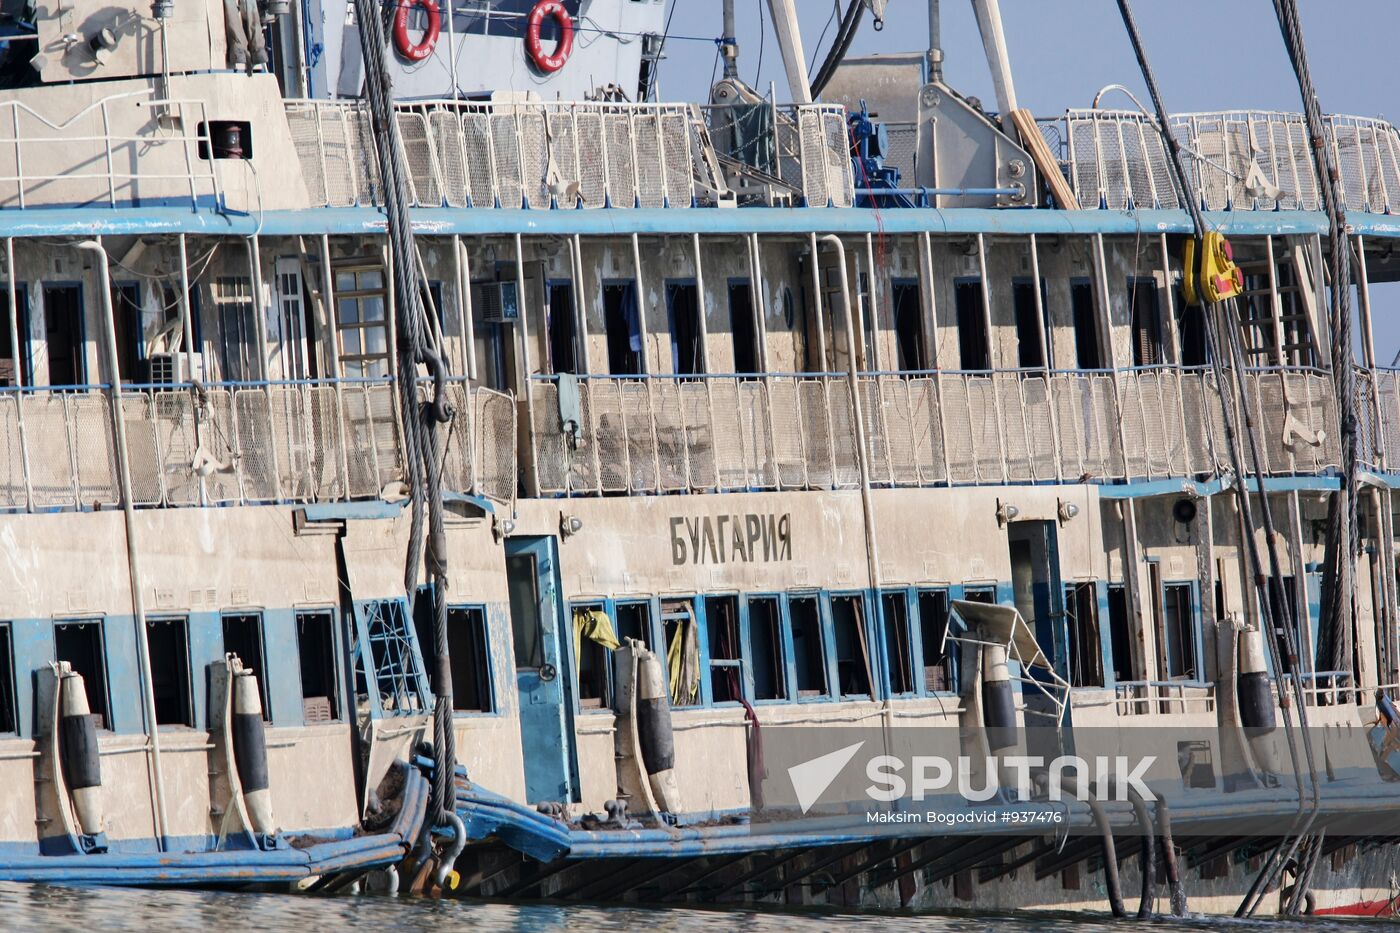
(533, 576)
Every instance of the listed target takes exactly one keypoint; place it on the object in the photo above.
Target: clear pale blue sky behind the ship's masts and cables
(1209, 55)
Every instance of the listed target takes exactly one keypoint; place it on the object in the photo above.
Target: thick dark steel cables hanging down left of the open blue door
(421, 420)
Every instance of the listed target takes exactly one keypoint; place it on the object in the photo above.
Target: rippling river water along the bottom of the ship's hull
(100, 911)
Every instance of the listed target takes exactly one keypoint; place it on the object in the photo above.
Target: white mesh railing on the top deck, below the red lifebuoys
(542, 155)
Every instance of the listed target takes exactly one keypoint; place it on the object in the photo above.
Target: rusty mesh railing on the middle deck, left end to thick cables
(241, 443)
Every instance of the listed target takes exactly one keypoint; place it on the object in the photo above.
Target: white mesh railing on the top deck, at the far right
(1240, 160)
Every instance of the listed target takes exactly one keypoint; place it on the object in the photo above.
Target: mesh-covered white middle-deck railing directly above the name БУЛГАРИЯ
(713, 434)
